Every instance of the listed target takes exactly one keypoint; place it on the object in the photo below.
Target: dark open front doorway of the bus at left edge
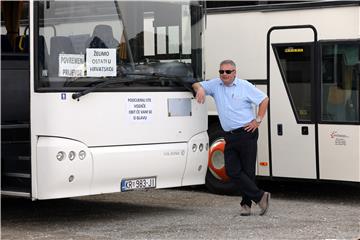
(15, 99)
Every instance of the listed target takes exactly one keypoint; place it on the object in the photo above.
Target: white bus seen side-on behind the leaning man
(306, 57)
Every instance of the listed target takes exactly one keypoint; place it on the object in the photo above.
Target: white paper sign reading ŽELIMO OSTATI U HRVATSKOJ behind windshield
(101, 62)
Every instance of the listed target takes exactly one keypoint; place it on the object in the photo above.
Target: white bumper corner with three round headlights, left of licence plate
(63, 178)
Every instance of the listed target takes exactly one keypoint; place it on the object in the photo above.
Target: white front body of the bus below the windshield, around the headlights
(117, 146)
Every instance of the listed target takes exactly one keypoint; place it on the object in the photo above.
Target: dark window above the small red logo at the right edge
(340, 82)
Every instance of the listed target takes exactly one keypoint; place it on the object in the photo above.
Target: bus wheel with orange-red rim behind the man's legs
(216, 179)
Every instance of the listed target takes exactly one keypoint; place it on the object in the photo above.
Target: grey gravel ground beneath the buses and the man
(297, 211)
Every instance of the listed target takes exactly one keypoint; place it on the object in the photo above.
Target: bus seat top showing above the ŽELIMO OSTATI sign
(102, 37)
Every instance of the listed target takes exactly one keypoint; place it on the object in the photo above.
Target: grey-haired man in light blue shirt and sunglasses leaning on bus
(234, 98)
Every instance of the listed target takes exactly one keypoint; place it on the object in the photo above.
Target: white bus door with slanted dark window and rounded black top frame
(291, 76)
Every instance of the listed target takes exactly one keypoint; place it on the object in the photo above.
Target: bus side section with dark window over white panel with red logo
(339, 128)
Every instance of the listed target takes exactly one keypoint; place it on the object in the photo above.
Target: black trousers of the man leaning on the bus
(240, 160)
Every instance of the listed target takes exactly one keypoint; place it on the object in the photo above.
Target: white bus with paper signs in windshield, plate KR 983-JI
(96, 97)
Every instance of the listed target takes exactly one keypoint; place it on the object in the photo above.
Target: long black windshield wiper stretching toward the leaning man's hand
(175, 78)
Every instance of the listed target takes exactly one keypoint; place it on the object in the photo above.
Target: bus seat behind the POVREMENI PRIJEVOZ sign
(58, 45)
